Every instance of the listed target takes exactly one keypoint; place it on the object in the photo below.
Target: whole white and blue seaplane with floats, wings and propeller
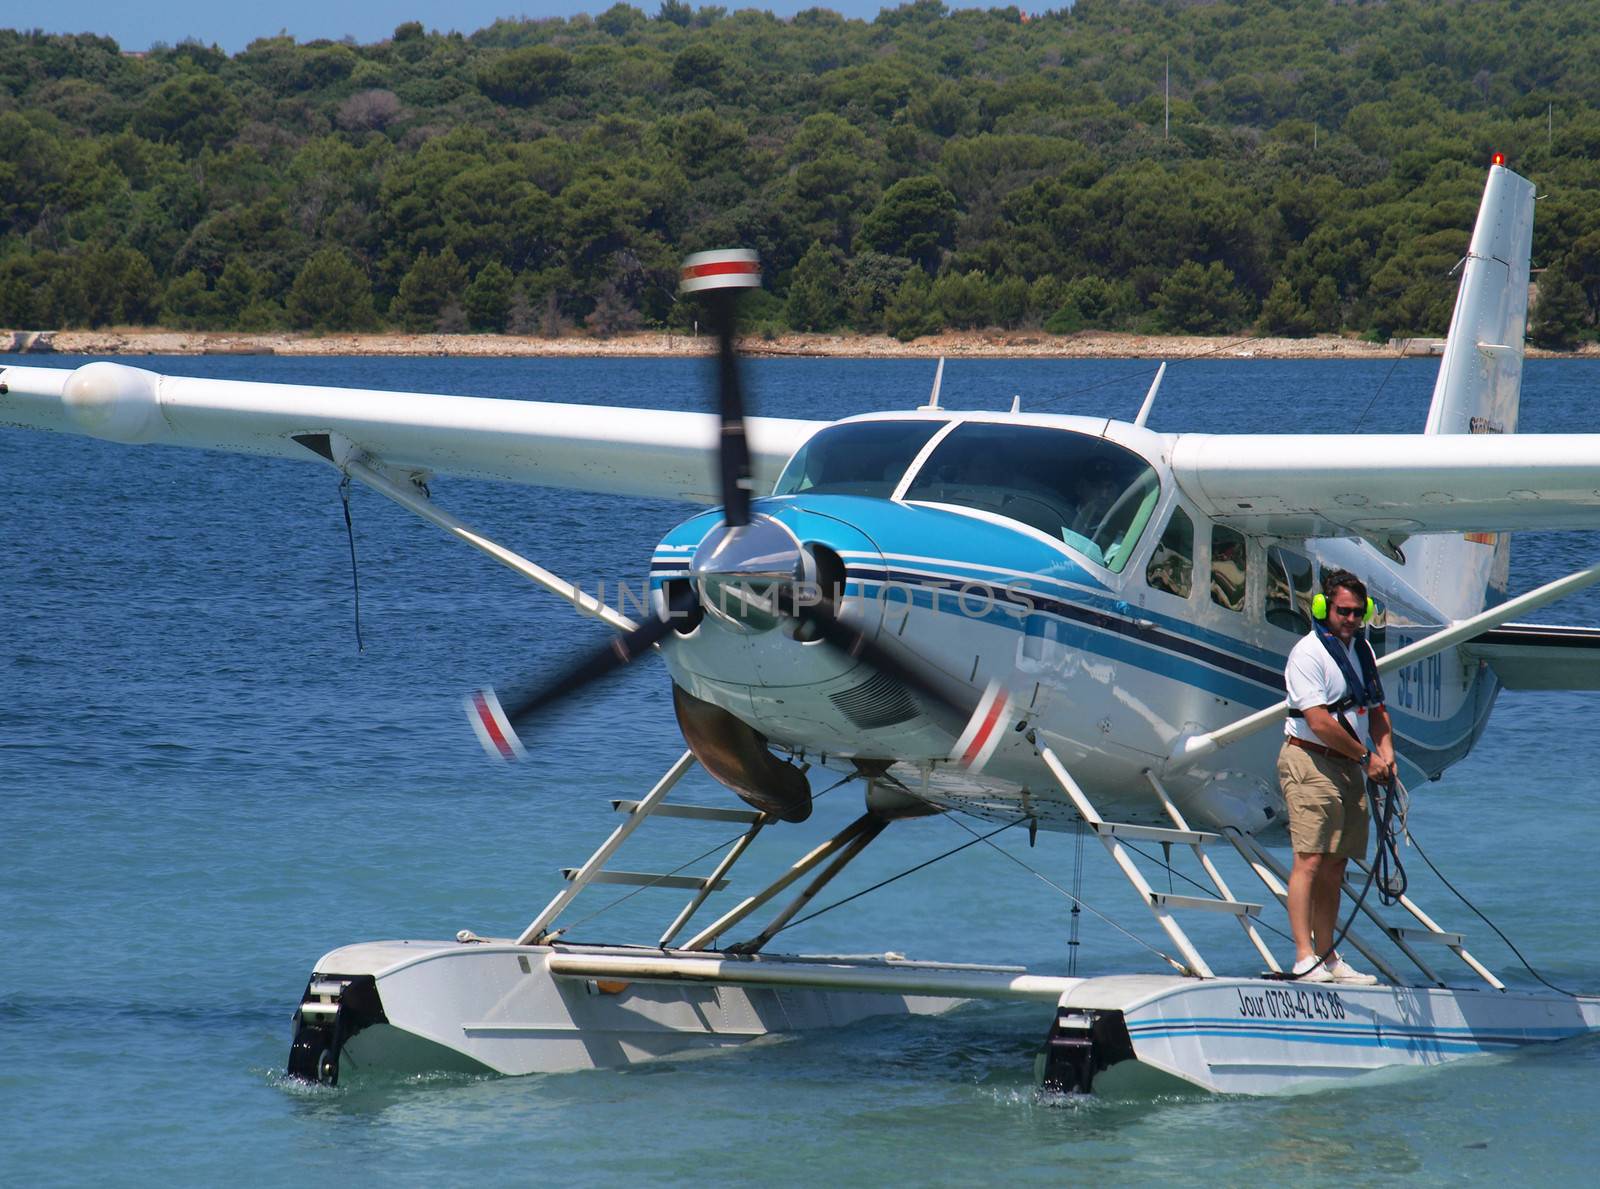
(1004, 617)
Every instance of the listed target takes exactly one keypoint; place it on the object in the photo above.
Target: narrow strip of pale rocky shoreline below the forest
(956, 345)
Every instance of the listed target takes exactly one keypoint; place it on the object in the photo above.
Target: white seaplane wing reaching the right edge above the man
(1391, 486)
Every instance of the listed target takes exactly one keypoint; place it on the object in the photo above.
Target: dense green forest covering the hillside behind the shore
(1316, 170)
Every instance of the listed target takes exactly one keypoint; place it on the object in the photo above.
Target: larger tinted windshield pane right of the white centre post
(1087, 492)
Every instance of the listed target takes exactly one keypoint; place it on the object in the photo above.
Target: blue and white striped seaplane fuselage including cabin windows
(1114, 644)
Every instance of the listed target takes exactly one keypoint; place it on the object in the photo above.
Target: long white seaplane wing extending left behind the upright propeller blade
(634, 452)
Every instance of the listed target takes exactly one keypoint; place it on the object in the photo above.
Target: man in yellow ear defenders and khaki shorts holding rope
(1337, 739)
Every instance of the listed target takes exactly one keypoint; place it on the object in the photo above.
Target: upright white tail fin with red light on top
(1481, 385)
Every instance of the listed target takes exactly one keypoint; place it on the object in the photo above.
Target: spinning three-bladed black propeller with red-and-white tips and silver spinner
(758, 562)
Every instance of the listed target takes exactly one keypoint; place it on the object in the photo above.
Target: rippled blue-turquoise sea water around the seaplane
(204, 788)
